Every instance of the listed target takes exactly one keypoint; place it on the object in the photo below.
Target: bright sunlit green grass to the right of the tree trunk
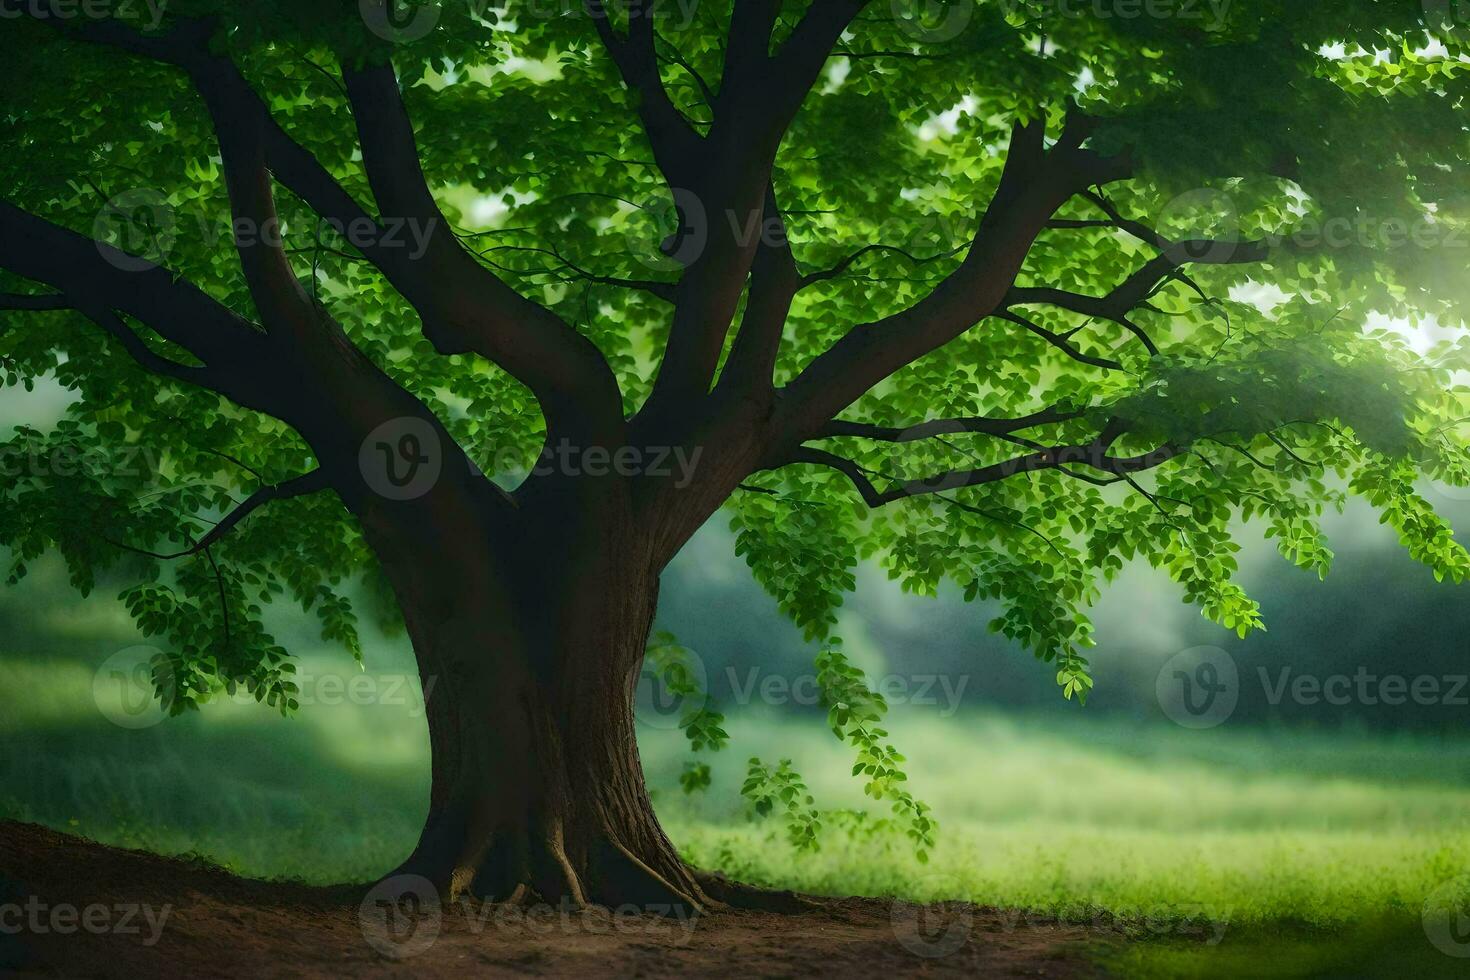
(1227, 854)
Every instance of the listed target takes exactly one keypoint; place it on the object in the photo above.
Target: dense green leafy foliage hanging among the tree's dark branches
(1309, 159)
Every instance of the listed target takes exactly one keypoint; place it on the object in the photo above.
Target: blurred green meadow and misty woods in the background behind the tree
(1311, 819)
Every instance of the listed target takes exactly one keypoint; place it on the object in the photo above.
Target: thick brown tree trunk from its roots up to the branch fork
(537, 787)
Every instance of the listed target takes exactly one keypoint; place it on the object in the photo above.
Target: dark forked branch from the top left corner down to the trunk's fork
(464, 305)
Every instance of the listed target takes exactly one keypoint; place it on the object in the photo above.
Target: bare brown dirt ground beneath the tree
(76, 909)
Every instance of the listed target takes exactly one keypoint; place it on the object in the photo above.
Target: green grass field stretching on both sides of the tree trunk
(1228, 853)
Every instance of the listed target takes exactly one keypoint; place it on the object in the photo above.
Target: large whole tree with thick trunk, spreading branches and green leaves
(437, 299)
